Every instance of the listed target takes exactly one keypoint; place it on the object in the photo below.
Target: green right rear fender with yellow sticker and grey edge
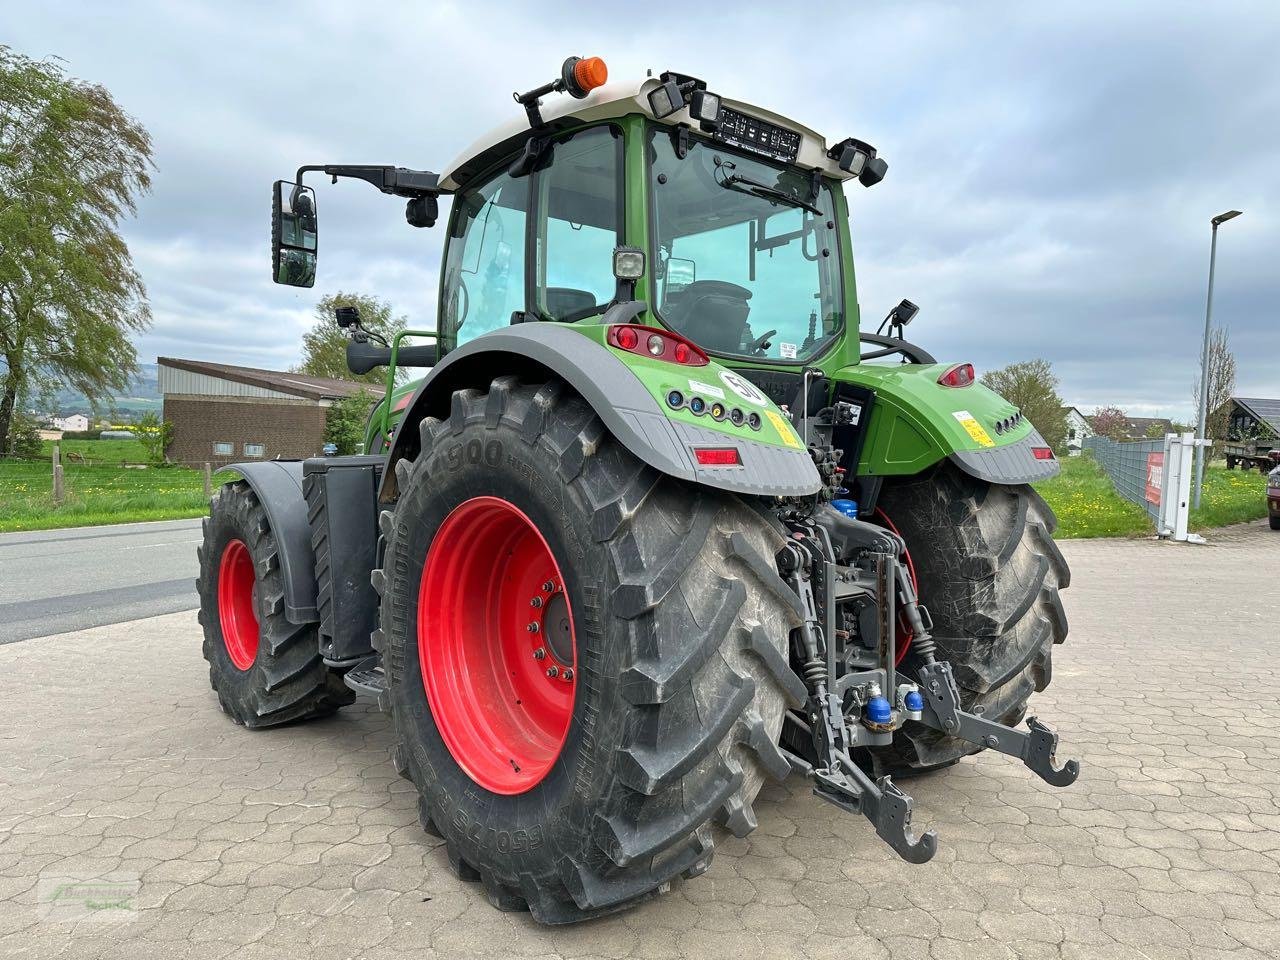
(916, 422)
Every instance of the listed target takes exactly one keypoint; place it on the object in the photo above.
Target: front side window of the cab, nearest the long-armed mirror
(484, 271)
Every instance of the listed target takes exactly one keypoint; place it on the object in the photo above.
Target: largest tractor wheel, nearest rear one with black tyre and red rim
(580, 655)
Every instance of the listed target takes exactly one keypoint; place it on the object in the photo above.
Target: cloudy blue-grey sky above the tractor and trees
(1053, 167)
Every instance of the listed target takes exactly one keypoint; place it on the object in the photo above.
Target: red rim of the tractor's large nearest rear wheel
(496, 646)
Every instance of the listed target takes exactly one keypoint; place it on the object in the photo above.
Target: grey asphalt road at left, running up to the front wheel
(53, 582)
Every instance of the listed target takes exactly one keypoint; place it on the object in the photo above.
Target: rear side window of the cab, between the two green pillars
(583, 222)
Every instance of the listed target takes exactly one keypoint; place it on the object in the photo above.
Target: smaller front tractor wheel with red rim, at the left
(266, 670)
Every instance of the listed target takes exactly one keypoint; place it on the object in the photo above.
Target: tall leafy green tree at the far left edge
(72, 166)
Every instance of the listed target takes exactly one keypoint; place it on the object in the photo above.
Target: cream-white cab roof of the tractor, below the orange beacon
(614, 100)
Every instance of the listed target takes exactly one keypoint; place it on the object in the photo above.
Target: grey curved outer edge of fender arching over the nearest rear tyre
(621, 400)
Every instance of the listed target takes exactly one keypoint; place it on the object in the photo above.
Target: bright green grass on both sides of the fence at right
(1087, 504)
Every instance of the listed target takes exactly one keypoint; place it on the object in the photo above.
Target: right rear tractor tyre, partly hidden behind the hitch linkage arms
(990, 574)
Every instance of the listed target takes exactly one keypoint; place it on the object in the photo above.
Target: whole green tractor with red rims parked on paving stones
(660, 524)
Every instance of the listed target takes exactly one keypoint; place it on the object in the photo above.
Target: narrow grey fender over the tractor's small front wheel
(278, 486)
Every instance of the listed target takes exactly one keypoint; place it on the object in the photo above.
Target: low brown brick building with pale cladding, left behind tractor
(223, 414)
